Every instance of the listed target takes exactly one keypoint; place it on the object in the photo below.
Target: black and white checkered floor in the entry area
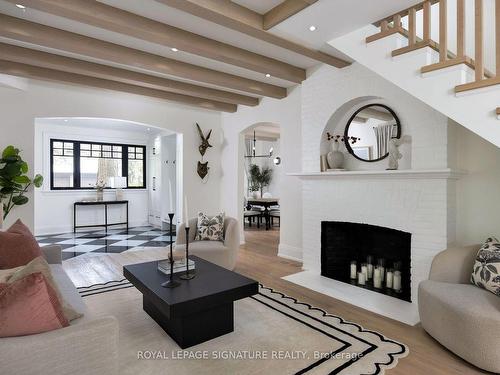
(114, 241)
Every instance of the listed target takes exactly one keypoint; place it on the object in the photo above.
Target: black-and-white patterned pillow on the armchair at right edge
(486, 271)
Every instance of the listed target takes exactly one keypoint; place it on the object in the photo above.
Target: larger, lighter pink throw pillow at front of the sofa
(29, 306)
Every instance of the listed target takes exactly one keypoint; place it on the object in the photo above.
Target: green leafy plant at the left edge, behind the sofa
(14, 181)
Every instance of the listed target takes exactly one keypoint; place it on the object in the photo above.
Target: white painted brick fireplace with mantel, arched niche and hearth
(419, 198)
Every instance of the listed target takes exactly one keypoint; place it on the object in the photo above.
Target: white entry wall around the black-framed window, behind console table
(54, 209)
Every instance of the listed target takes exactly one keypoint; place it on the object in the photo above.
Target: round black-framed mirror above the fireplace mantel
(369, 131)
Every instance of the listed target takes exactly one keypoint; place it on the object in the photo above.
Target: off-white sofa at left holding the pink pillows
(88, 346)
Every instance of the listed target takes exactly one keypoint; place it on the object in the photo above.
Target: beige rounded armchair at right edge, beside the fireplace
(462, 317)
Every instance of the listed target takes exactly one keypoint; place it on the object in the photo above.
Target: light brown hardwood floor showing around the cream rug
(258, 259)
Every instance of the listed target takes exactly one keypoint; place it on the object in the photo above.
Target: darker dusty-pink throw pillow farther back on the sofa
(17, 246)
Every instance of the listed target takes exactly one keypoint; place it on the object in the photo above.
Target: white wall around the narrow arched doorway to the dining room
(286, 113)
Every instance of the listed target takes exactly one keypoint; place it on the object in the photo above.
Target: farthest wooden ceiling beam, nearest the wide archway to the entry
(44, 74)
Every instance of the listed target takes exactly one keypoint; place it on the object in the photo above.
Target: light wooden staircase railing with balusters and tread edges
(482, 77)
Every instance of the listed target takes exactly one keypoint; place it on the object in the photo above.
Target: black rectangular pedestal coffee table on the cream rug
(199, 309)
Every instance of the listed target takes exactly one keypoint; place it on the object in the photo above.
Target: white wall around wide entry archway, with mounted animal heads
(20, 108)
